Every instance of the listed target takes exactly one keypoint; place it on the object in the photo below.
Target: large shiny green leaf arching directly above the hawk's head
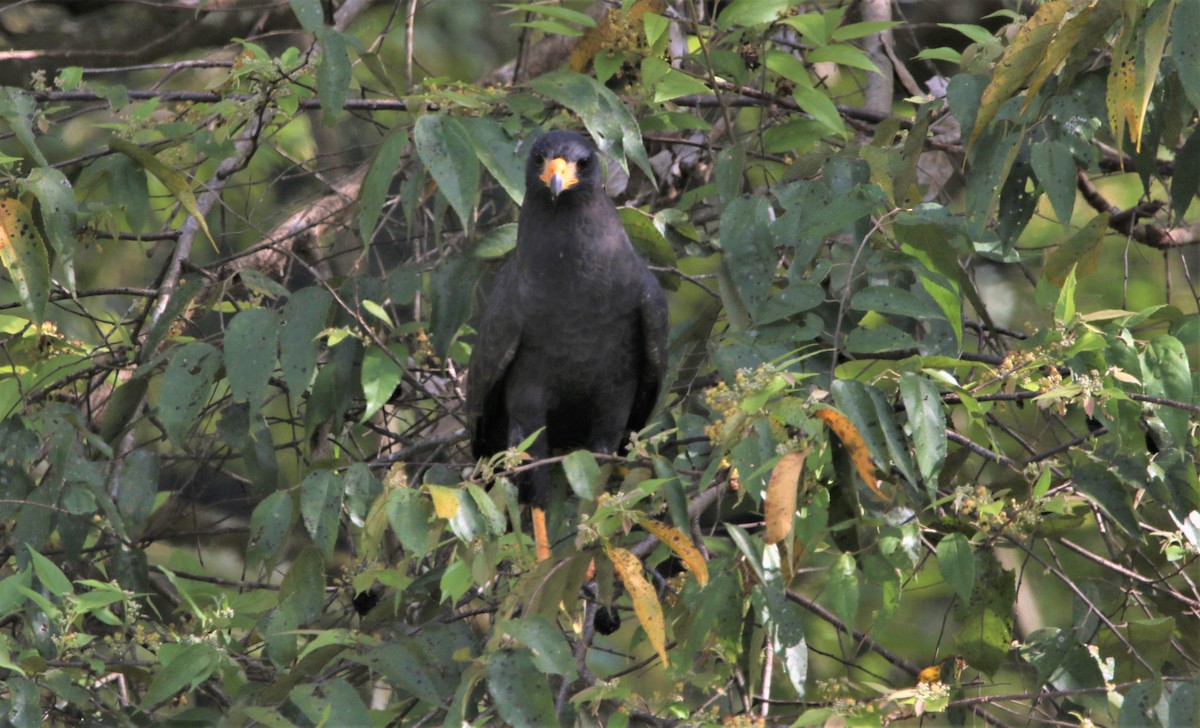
(613, 128)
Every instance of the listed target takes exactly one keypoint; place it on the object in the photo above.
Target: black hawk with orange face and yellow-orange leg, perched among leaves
(573, 339)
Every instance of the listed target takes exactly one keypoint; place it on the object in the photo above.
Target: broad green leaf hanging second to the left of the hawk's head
(448, 153)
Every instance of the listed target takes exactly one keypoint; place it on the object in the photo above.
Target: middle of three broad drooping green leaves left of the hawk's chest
(250, 354)
